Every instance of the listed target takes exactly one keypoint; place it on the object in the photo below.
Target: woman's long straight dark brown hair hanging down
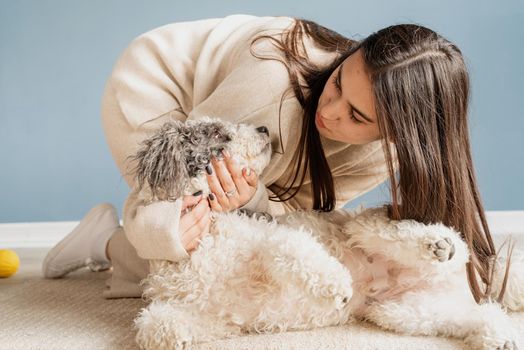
(421, 90)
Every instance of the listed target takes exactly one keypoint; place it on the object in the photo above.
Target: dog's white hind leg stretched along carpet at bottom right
(447, 314)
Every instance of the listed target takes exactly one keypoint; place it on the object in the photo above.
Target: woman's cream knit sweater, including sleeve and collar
(186, 70)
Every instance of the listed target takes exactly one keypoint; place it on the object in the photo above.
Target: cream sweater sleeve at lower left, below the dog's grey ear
(152, 228)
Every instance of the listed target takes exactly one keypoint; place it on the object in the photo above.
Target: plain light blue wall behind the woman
(56, 55)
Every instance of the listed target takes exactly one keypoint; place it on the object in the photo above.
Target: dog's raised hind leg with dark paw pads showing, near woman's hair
(433, 247)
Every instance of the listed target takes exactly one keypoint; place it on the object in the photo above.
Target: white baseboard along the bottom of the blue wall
(47, 234)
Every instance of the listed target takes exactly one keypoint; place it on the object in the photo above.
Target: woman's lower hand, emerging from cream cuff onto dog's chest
(194, 223)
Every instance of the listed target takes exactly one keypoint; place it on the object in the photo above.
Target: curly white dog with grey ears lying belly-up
(256, 274)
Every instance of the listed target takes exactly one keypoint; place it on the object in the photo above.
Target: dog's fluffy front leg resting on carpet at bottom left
(166, 326)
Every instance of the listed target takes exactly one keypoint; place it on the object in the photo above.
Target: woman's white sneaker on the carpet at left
(85, 245)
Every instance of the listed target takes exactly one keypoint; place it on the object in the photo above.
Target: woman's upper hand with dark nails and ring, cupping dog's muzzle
(230, 186)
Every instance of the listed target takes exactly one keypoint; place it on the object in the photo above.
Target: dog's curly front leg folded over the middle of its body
(295, 255)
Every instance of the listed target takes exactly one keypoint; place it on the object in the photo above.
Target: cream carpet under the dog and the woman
(71, 313)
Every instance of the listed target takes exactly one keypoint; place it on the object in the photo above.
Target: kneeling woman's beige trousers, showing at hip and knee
(123, 139)
